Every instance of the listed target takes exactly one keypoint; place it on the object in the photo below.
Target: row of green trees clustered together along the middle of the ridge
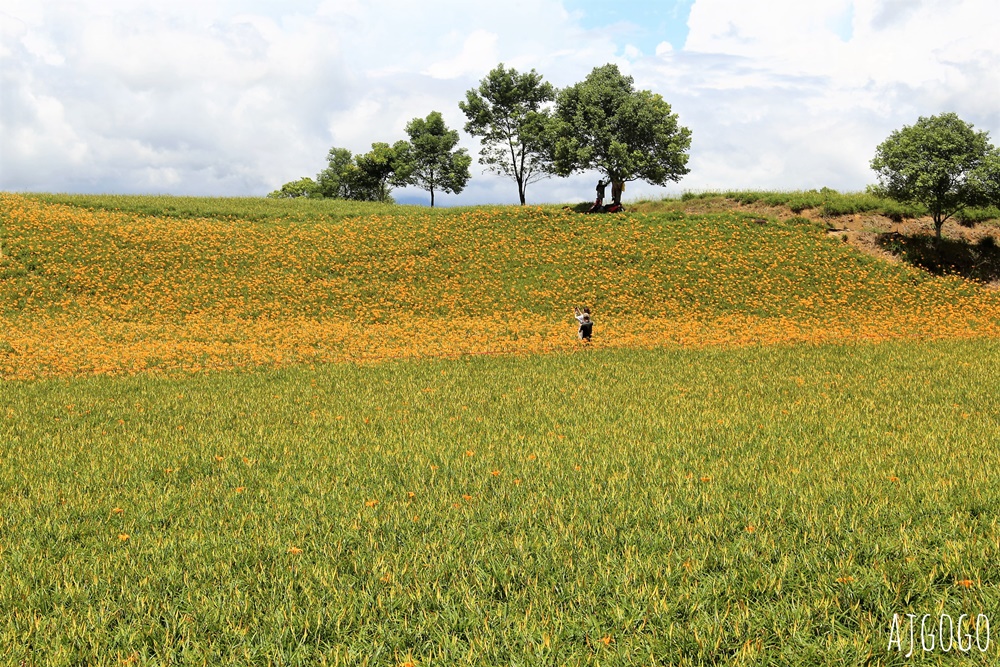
(529, 130)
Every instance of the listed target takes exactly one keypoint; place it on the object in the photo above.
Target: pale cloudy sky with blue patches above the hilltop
(236, 97)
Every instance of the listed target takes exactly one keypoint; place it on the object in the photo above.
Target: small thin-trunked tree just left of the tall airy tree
(431, 160)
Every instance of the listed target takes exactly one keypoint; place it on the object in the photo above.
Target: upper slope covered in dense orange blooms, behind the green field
(131, 284)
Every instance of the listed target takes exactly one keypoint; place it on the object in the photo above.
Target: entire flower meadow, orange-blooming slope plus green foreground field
(251, 432)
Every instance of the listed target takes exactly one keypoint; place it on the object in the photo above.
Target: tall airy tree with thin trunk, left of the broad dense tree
(507, 111)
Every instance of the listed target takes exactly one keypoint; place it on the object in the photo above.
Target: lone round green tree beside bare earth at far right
(940, 162)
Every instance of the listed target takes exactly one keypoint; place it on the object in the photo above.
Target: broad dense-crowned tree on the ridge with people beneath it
(603, 123)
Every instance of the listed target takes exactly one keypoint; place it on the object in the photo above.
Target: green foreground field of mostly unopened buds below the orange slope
(762, 506)
